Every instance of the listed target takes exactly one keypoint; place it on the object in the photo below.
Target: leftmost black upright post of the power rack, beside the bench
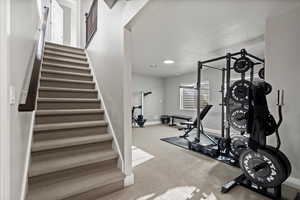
(198, 101)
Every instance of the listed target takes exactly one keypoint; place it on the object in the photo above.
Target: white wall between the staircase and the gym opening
(107, 53)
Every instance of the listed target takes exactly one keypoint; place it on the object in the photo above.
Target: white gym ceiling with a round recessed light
(187, 31)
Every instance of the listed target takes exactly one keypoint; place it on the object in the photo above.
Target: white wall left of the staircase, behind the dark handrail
(24, 25)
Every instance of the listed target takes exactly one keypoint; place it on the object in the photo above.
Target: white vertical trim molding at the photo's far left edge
(4, 100)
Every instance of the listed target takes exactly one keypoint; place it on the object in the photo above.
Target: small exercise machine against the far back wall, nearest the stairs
(139, 119)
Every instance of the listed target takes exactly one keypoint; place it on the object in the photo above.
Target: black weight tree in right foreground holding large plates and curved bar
(264, 167)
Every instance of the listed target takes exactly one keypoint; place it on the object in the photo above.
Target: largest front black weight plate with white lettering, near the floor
(271, 175)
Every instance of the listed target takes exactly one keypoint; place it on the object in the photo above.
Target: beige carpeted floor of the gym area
(178, 174)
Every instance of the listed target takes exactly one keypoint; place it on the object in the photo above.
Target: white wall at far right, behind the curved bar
(283, 71)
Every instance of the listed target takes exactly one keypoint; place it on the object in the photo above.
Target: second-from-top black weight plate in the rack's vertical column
(239, 91)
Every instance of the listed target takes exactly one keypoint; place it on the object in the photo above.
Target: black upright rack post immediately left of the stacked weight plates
(228, 68)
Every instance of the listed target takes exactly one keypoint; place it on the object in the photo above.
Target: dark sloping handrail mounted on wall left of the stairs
(29, 104)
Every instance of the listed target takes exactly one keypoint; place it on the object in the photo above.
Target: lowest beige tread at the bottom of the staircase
(76, 185)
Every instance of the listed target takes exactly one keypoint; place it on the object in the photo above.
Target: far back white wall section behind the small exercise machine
(153, 103)
